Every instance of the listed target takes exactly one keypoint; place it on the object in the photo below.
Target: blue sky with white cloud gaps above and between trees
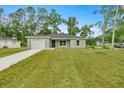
(83, 13)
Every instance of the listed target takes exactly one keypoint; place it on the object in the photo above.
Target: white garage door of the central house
(38, 44)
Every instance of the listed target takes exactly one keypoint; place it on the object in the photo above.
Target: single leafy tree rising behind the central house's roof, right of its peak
(72, 26)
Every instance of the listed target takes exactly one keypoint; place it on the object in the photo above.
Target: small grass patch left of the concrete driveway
(8, 51)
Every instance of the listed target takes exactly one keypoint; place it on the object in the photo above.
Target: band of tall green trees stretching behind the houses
(36, 21)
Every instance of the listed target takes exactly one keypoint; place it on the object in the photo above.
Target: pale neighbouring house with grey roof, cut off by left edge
(9, 43)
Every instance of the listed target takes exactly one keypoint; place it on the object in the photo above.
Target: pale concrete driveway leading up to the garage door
(6, 62)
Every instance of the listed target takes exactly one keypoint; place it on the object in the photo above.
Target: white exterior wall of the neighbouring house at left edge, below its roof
(9, 44)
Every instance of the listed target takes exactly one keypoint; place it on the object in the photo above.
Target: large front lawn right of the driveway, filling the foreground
(67, 68)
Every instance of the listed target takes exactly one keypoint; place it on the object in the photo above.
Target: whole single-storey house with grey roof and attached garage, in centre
(55, 41)
